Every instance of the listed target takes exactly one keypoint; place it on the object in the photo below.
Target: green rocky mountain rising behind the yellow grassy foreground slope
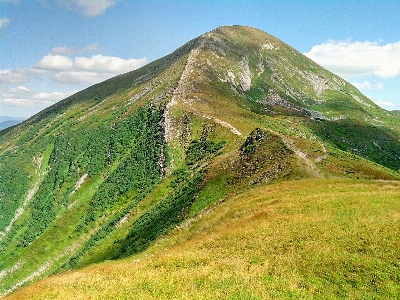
(107, 172)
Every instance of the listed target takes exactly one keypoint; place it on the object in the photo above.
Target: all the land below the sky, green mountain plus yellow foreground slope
(233, 168)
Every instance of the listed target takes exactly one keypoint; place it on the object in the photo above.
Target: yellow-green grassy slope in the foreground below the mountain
(327, 238)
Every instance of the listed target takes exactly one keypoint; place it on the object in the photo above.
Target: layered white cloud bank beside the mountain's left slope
(63, 68)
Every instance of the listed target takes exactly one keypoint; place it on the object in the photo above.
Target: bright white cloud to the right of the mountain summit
(350, 59)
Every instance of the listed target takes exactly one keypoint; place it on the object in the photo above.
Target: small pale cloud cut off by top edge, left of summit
(88, 7)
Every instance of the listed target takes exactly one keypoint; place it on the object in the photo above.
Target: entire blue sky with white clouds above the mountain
(50, 49)
